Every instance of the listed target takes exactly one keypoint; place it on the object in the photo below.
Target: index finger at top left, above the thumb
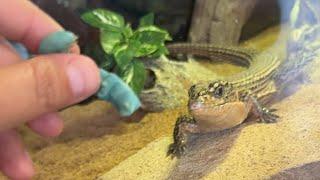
(22, 21)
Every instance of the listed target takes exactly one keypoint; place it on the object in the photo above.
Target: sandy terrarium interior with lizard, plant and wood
(225, 90)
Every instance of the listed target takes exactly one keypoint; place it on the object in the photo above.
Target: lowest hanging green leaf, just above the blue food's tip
(134, 75)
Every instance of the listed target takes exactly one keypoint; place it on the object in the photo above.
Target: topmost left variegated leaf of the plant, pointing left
(105, 19)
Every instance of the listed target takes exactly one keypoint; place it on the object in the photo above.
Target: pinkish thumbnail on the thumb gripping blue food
(83, 77)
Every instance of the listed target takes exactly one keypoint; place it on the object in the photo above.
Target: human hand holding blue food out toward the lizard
(32, 91)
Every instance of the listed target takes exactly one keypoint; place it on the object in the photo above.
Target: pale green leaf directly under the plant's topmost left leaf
(109, 39)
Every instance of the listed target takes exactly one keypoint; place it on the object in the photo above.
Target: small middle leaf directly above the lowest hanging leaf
(123, 55)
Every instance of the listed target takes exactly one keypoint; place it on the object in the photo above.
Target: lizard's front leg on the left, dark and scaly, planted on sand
(183, 126)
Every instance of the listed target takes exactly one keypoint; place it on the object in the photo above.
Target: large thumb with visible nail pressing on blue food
(44, 84)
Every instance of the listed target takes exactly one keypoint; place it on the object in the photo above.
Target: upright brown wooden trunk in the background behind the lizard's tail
(219, 21)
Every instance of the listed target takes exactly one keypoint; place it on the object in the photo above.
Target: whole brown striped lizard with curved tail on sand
(225, 103)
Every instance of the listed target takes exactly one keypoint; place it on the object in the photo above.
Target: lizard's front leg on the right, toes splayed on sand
(265, 115)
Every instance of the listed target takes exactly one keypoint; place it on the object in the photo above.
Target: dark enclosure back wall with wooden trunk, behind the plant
(213, 21)
